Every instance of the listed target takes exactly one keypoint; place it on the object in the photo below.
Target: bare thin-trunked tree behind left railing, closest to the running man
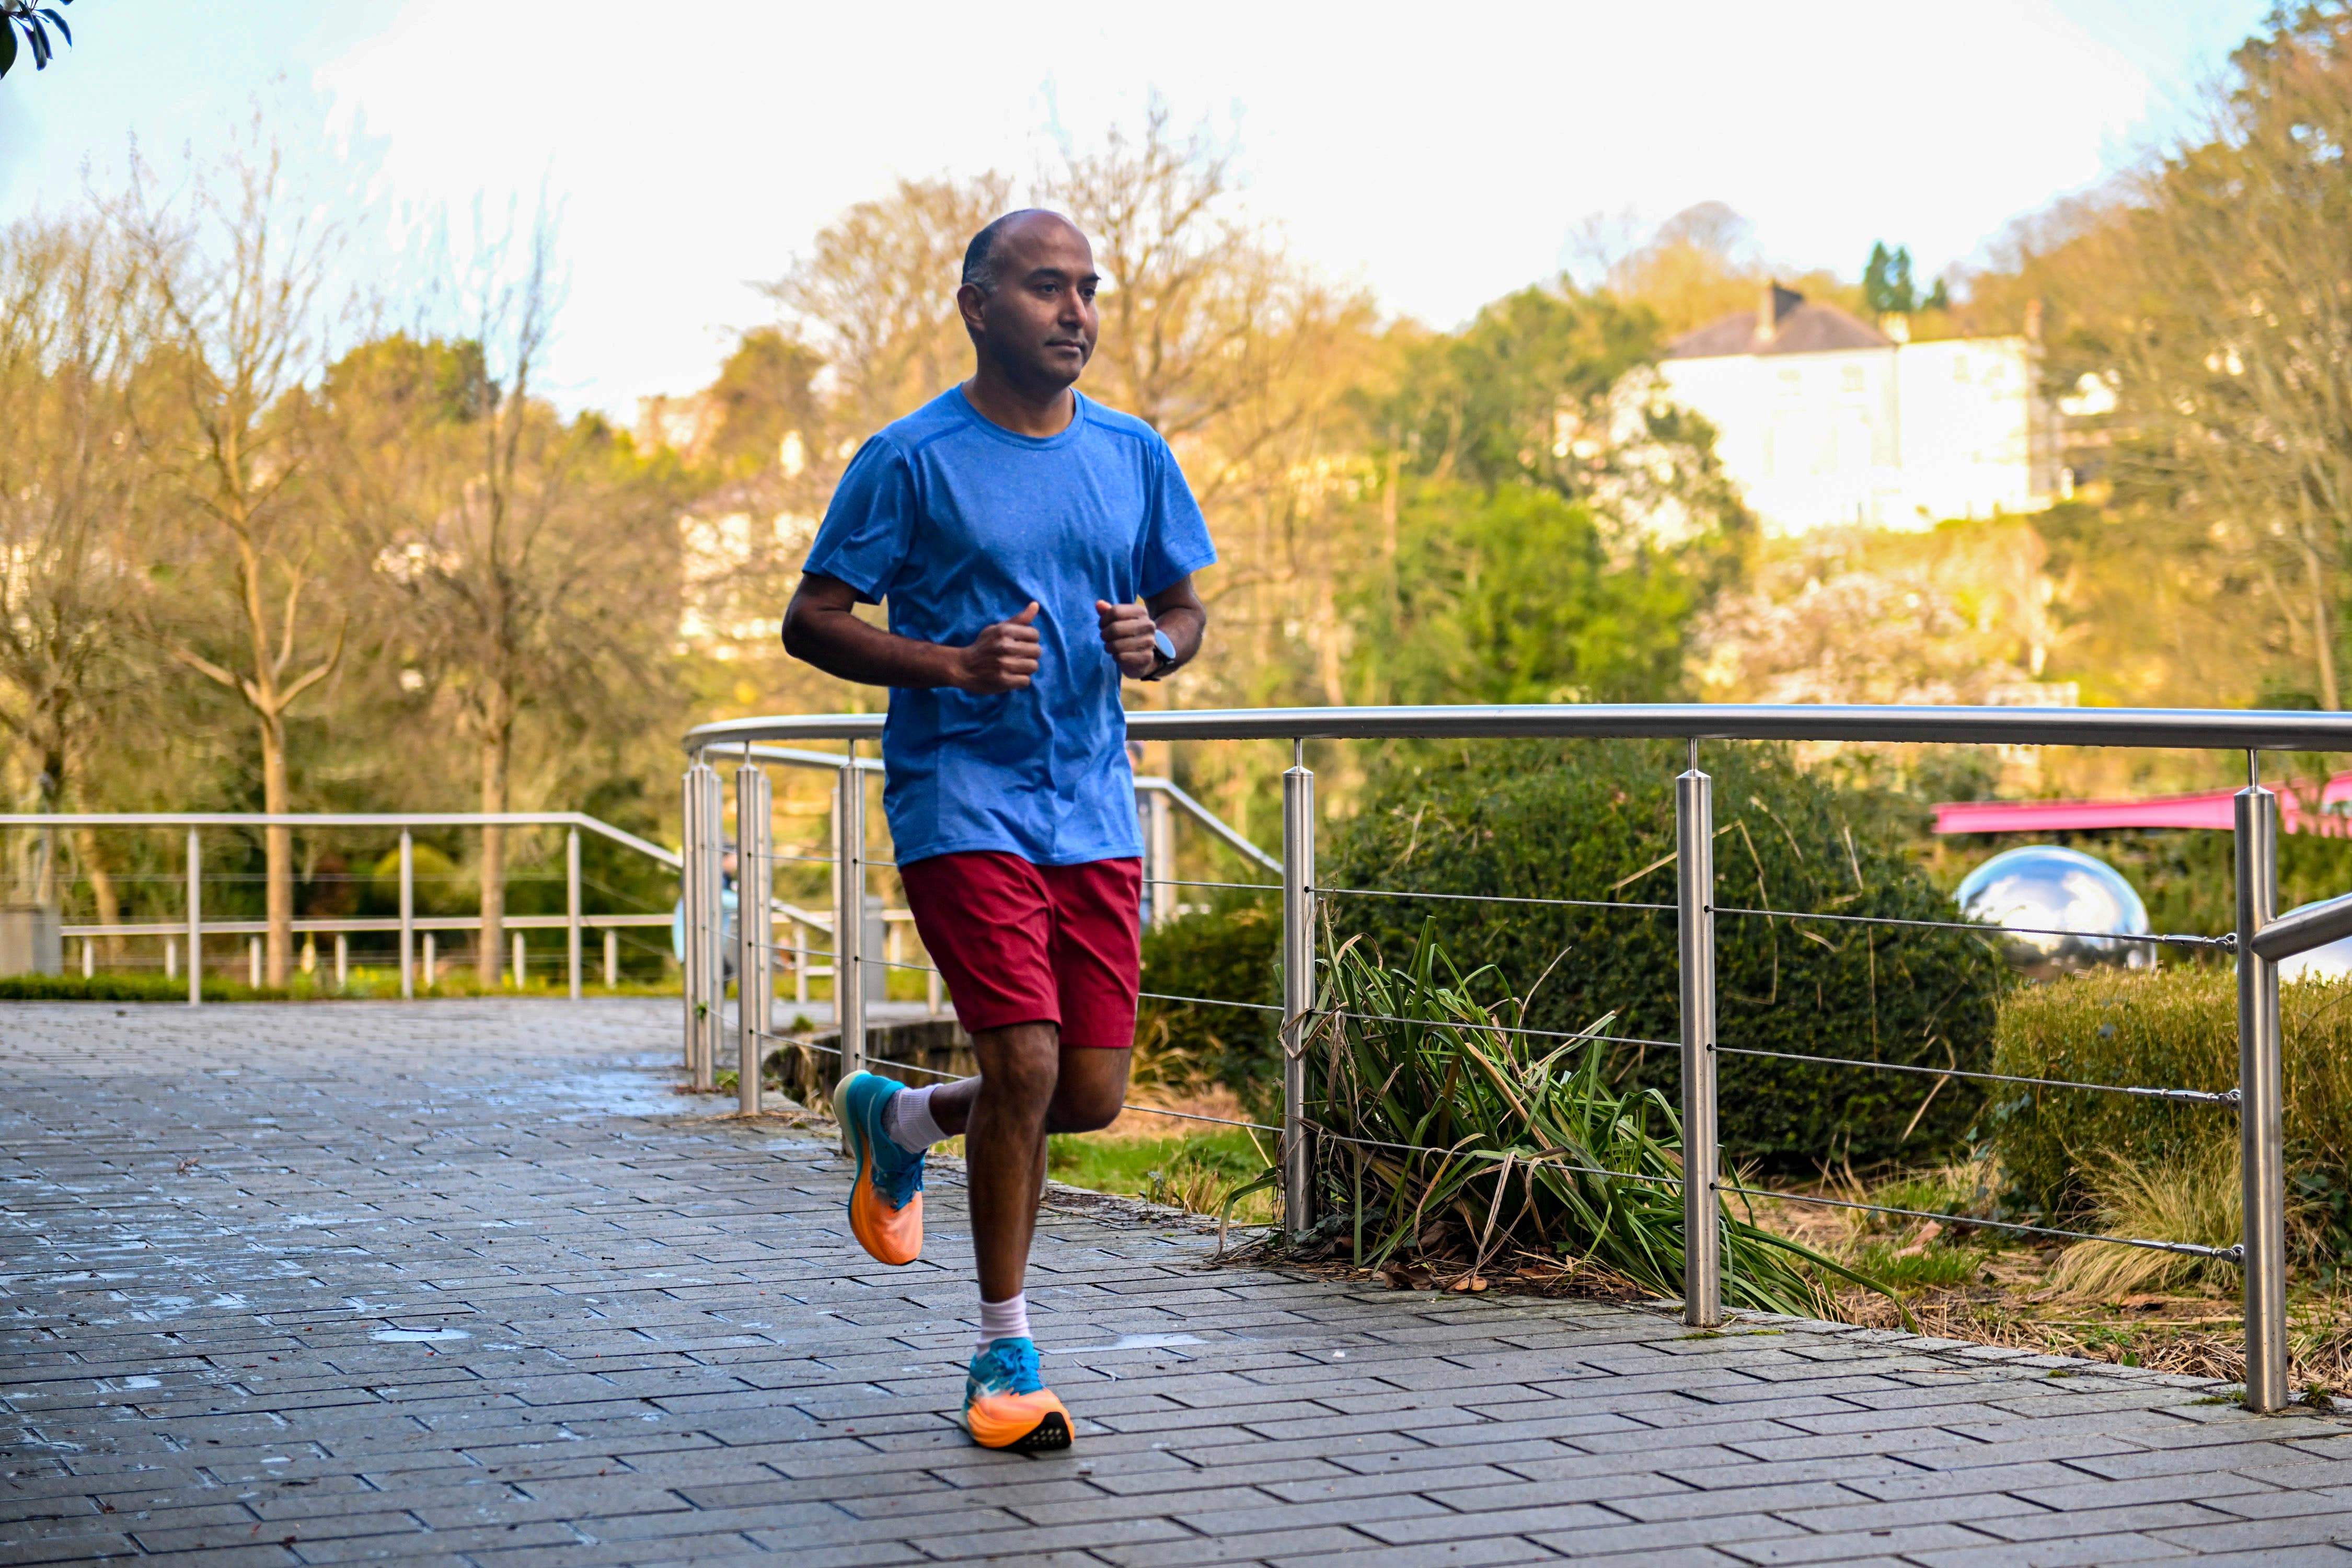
(528, 558)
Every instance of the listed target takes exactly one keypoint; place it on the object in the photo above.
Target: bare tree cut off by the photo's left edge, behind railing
(74, 504)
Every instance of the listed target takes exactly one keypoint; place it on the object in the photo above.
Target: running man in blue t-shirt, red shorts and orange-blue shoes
(1031, 549)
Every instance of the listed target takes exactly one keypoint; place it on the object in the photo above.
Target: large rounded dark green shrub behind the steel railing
(1598, 822)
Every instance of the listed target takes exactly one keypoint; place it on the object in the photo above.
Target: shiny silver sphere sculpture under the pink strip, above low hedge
(2052, 899)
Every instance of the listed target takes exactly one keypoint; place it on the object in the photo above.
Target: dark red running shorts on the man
(1034, 944)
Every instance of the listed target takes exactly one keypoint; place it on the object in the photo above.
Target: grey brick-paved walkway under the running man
(467, 1285)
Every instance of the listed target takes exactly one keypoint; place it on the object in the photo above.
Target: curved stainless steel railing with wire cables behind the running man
(2257, 1101)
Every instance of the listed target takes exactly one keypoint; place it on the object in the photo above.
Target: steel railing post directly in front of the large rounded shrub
(1695, 925)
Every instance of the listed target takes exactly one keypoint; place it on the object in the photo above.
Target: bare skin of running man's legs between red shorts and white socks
(1029, 1087)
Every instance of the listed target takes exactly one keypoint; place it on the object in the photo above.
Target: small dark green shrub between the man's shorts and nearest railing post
(1229, 951)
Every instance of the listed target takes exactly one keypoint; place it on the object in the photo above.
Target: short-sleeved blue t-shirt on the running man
(958, 523)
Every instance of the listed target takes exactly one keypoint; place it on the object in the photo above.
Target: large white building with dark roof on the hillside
(1829, 422)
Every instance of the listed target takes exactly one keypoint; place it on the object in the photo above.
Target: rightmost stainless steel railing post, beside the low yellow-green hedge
(2261, 1097)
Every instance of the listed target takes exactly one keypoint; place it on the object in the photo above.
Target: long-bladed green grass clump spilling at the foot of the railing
(1448, 1130)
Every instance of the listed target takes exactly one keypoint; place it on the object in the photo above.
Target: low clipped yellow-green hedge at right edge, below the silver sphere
(2174, 1028)
